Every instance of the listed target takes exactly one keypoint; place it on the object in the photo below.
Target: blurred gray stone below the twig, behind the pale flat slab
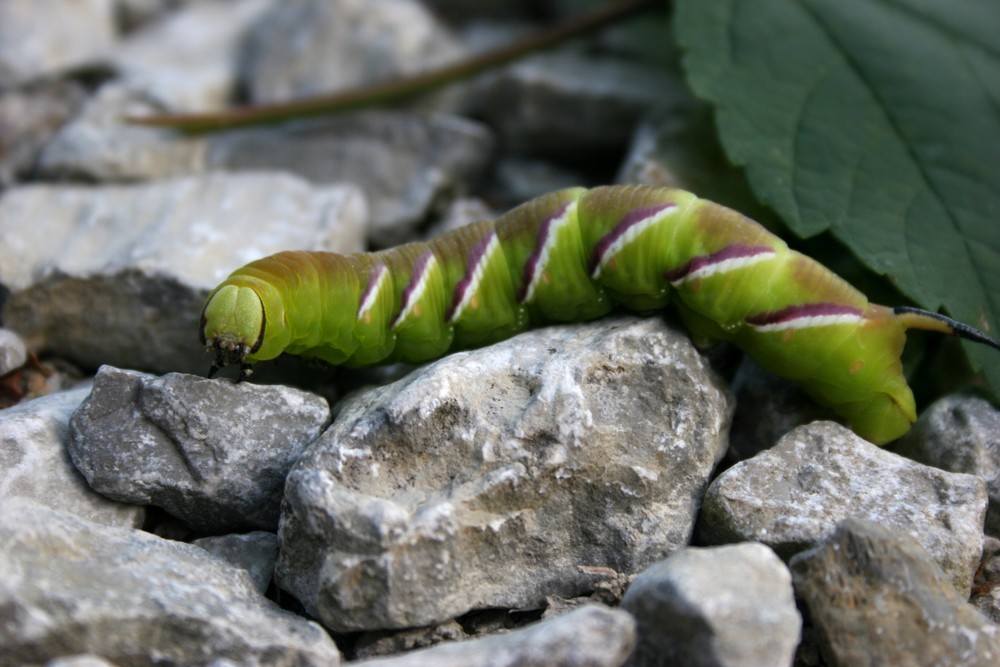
(404, 162)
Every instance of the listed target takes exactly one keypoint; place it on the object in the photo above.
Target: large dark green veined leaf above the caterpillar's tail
(878, 120)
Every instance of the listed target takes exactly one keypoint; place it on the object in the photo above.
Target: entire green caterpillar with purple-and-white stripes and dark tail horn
(573, 255)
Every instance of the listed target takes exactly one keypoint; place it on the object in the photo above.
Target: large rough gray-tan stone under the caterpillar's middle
(499, 477)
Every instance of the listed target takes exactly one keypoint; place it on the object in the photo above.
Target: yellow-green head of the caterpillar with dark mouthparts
(232, 327)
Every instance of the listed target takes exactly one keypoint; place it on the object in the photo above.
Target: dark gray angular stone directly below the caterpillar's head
(212, 453)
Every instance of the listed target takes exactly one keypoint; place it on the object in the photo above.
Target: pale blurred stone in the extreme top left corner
(44, 38)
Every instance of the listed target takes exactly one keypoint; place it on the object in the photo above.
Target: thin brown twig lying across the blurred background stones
(398, 89)
